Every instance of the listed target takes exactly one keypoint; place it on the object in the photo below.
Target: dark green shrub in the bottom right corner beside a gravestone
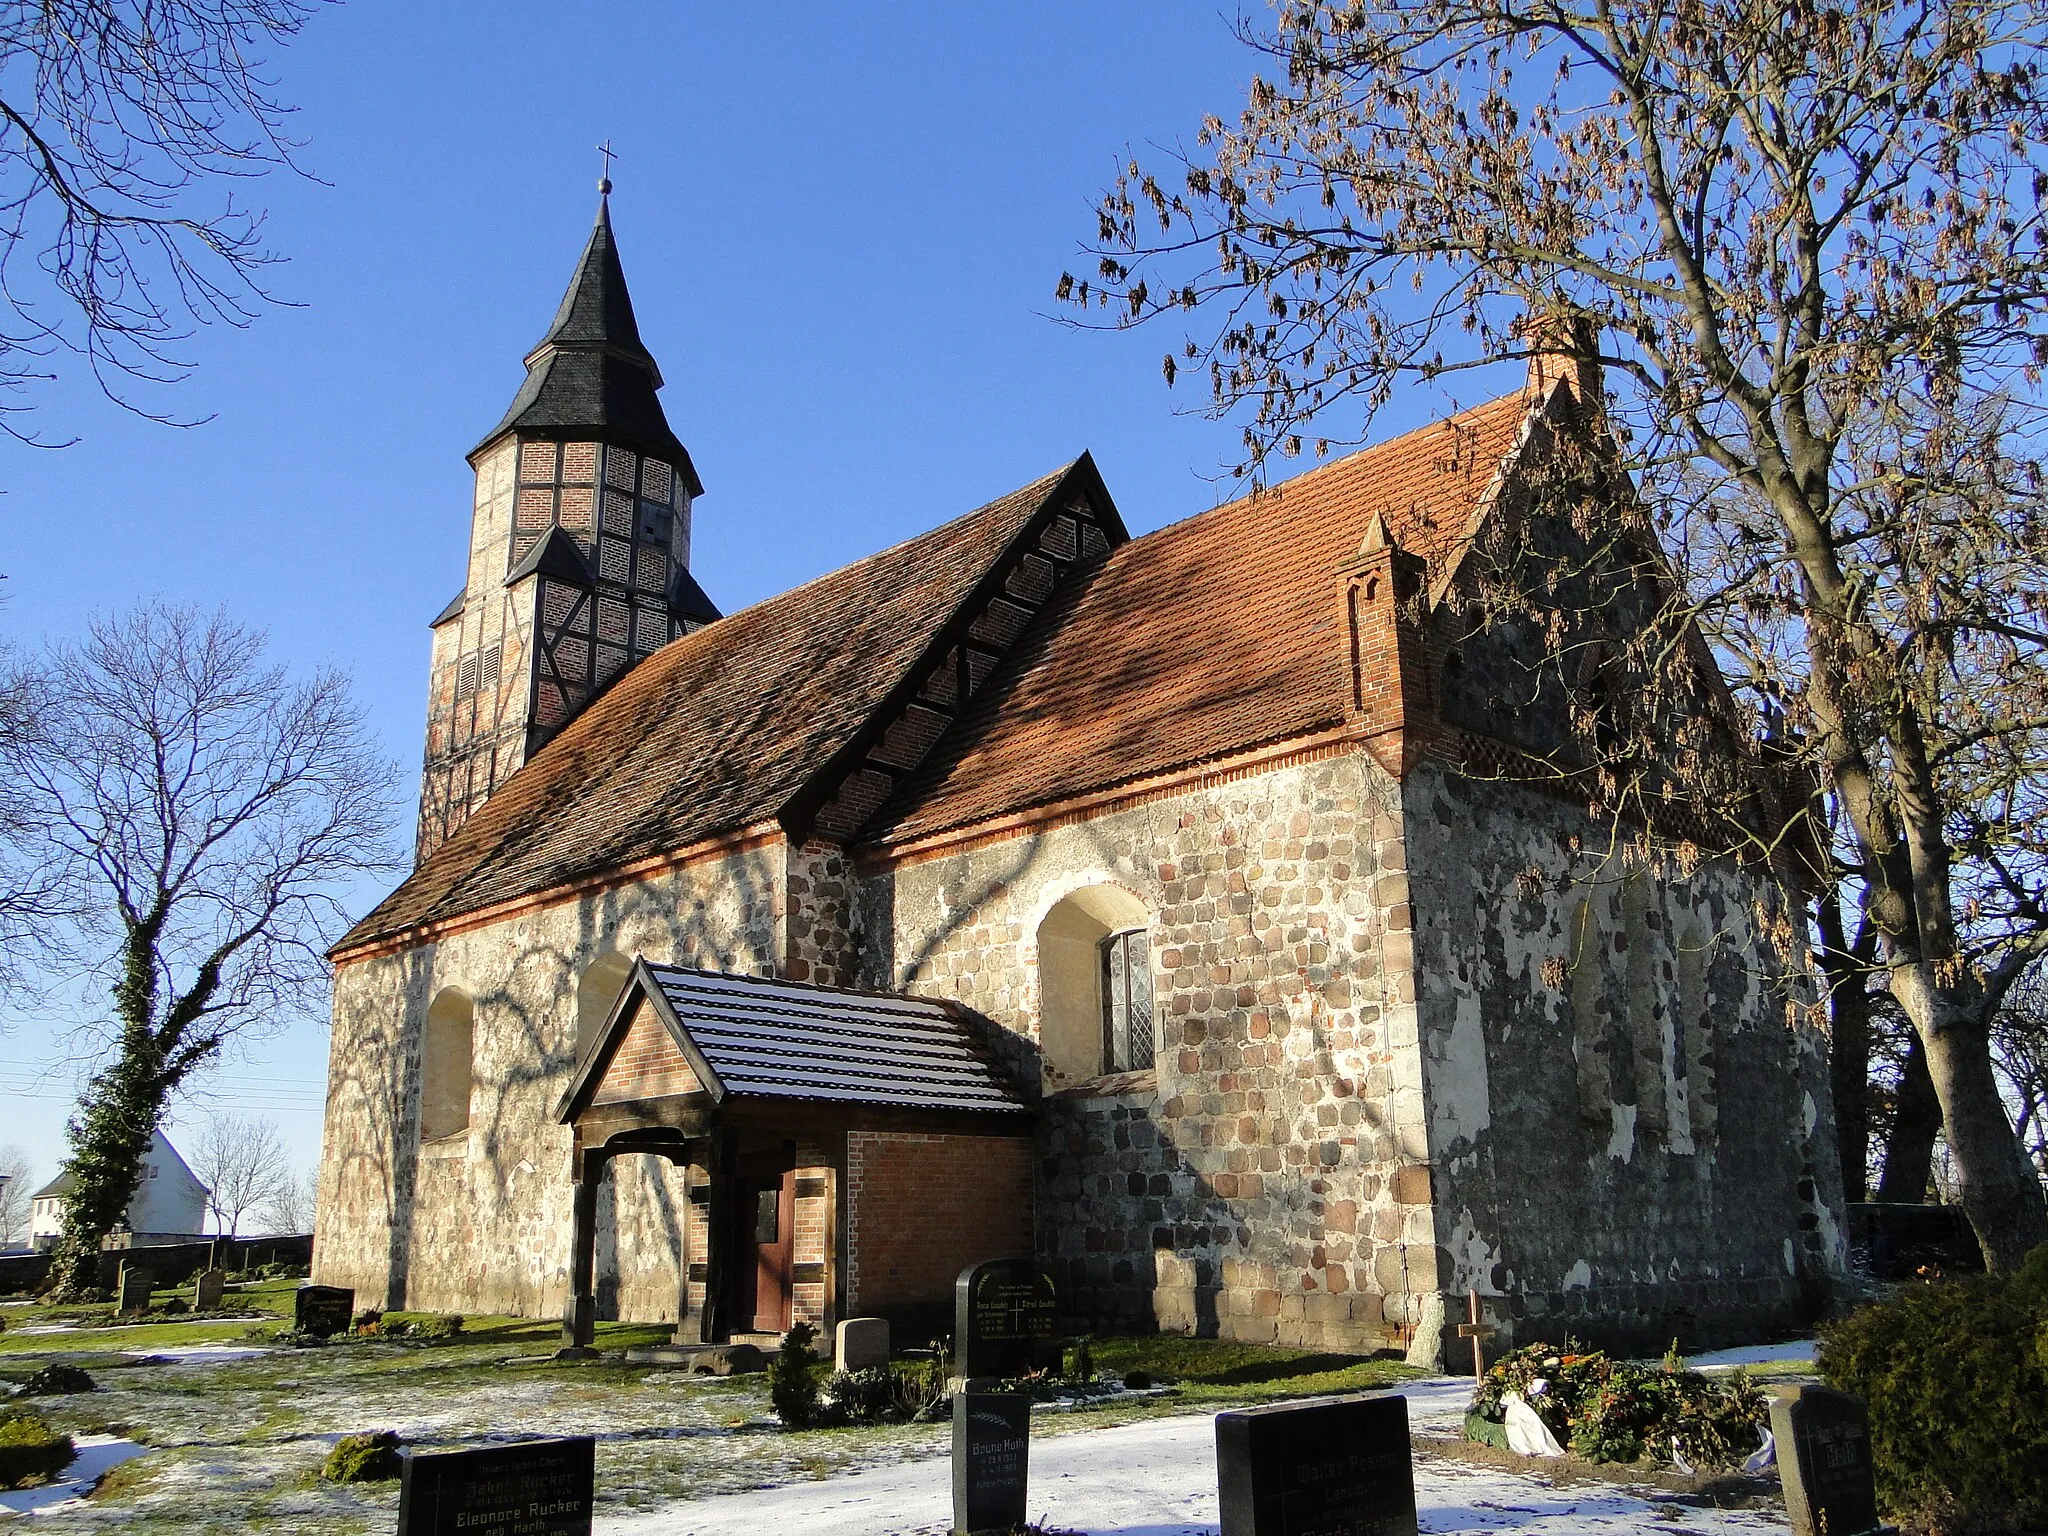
(1957, 1381)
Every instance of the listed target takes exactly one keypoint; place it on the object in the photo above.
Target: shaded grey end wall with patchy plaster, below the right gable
(1629, 1113)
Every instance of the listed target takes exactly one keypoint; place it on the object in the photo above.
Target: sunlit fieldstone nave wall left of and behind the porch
(480, 1222)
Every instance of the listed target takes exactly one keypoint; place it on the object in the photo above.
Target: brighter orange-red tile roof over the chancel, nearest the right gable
(1203, 640)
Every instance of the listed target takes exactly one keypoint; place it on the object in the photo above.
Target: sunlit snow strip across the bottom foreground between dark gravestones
(1160, 1480)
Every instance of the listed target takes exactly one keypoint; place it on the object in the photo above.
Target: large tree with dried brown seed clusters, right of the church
(1758, 237)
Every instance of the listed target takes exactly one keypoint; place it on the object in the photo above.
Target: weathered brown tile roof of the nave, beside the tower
(716, 732)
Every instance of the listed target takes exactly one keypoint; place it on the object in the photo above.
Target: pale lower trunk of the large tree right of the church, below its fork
(2000, 1193)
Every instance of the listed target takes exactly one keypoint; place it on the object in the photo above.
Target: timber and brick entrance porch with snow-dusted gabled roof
(847, 1154)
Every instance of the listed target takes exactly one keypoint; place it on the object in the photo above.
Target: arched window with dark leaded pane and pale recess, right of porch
(1095, 986)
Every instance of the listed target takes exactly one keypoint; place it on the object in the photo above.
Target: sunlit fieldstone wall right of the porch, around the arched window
(1267, 1177)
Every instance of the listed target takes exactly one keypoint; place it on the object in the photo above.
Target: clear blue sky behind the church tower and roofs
(843, 228)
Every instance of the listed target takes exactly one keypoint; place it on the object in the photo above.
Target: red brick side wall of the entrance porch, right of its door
(925, 1207)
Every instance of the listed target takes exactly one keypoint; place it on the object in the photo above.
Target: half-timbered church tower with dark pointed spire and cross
(579, 548)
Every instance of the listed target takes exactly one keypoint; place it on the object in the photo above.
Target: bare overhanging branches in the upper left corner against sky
(120, 120)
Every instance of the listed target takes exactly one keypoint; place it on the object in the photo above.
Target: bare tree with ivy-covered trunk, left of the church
(208, 812)
